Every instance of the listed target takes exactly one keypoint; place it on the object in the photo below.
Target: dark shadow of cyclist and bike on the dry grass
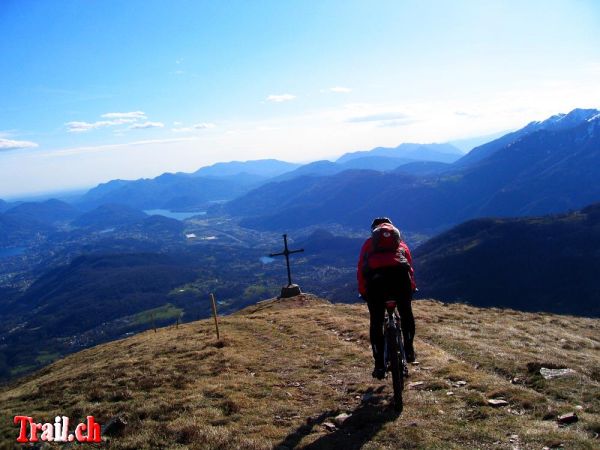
(365, 421)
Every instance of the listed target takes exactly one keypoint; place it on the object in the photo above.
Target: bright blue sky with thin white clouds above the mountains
(97, 90)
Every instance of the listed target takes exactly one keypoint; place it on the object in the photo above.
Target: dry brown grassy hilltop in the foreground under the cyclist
(285, 369)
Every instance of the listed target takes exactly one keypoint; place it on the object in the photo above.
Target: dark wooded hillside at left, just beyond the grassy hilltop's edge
(93, 299)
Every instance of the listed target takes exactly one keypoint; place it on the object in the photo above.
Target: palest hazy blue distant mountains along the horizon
(228, 180)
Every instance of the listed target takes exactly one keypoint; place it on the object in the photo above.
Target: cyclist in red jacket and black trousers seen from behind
(386, 272)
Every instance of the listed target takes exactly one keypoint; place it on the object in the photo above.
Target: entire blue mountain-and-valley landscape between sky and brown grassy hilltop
(77, 251)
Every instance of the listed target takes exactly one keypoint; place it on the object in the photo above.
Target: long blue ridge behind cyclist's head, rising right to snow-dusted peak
(546, 170)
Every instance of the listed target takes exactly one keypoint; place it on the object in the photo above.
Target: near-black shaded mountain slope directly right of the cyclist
(548, 263)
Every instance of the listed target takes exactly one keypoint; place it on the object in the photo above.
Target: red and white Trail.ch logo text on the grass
(89, 431)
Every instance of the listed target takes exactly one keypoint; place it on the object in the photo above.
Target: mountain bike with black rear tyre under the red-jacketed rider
(393, 352)
